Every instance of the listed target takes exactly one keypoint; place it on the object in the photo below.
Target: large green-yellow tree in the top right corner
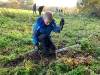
(89, 7)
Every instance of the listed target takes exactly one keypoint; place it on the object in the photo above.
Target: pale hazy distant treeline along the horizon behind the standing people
(28, 4)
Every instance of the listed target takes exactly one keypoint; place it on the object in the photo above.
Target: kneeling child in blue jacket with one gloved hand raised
(42, 30)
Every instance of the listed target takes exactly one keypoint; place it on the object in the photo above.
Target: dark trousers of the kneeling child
(46, 43)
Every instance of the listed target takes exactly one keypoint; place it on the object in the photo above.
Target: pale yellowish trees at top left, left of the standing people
(23, 4)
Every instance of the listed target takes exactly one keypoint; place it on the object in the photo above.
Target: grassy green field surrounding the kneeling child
(16, 41)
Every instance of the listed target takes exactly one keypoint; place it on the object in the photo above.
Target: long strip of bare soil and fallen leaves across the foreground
(36, 57)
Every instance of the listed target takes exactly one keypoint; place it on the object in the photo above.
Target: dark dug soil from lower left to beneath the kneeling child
(34, 56)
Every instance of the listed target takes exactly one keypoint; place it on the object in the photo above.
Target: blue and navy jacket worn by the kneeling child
(40, 28)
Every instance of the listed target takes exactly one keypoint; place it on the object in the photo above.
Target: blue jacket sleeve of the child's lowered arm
(35, 34)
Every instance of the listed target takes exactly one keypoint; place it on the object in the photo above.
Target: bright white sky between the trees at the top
(63, 3)
